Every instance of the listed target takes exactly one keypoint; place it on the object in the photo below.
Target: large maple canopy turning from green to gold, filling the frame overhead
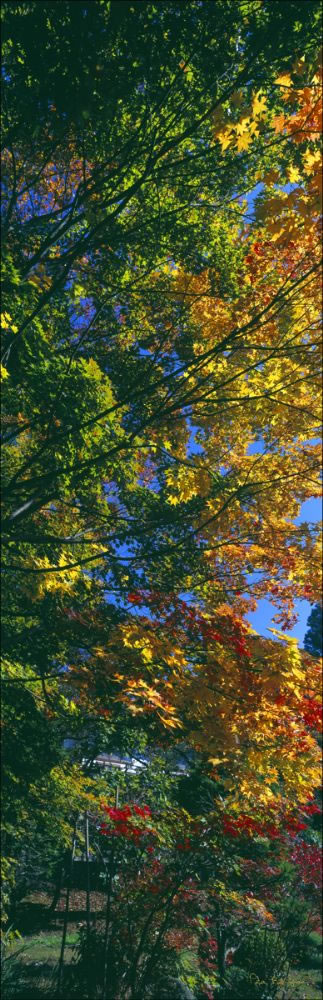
(161, 336)
